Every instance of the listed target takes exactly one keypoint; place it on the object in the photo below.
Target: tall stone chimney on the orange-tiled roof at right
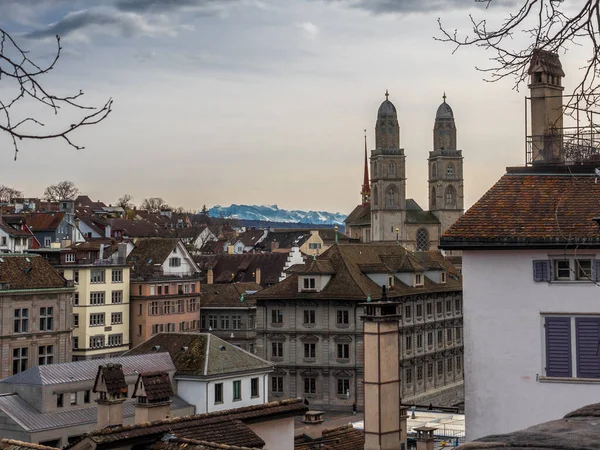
(545, 84)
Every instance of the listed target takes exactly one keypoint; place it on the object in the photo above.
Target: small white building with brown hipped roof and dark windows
(212, 374)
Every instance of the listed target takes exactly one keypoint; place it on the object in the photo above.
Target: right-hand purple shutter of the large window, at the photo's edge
(588, 336)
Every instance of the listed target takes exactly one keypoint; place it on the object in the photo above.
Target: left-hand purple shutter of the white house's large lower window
(558, 346)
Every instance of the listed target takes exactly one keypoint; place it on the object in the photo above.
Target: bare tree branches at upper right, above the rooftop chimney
(548, 25)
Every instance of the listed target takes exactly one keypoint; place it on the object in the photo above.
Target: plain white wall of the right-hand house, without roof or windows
(506, 387)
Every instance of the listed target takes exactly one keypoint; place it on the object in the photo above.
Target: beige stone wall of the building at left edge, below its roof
(59, 337)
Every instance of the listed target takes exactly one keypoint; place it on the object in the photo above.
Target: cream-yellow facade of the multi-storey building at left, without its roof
(85, 288)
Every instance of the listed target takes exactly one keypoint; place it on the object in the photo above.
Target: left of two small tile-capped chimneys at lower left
(111, 388)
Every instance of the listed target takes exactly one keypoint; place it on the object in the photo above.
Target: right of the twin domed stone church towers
(446, 197)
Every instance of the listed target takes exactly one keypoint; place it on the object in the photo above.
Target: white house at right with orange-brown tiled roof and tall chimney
(531, 265)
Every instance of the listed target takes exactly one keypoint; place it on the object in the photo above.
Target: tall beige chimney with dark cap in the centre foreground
(385, 417)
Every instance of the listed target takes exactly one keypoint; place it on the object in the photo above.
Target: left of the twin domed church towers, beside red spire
(388, 179)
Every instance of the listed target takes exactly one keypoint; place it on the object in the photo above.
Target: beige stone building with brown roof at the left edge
(35, 314)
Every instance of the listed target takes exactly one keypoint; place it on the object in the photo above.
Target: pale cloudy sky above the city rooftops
(258, 101)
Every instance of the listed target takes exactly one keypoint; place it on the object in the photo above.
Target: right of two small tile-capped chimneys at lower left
(153, 392)
